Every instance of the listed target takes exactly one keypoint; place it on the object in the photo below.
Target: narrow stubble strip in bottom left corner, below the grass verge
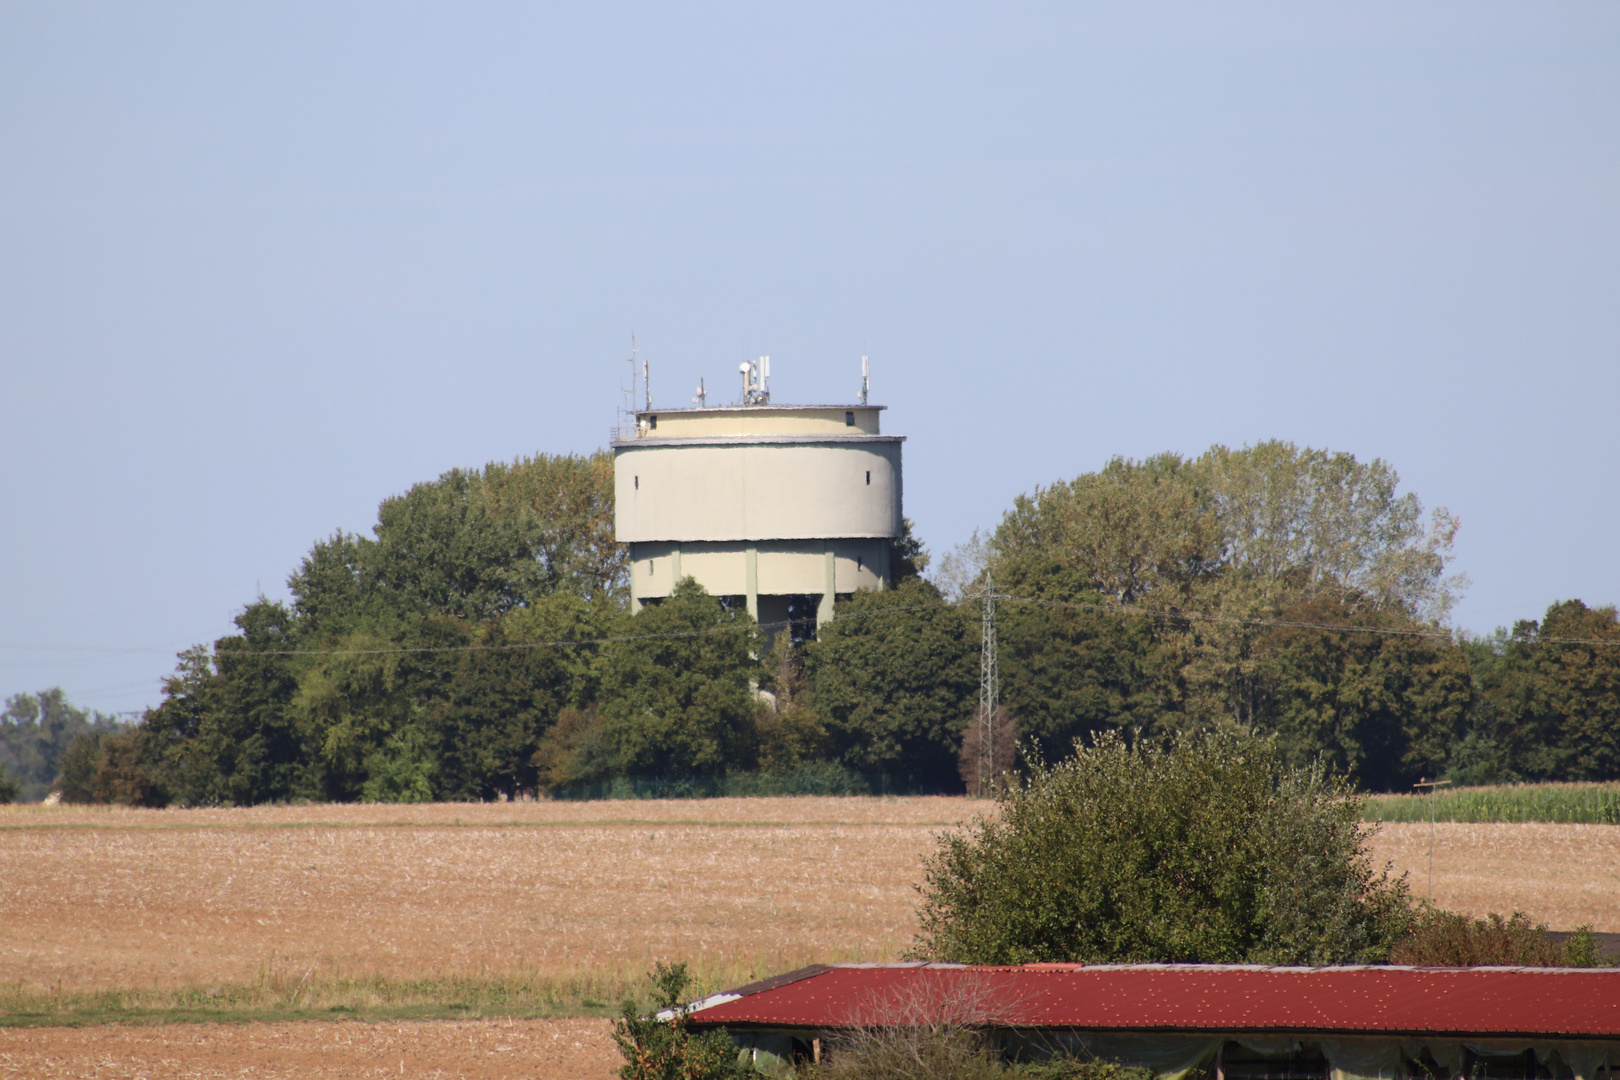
(477, 1050)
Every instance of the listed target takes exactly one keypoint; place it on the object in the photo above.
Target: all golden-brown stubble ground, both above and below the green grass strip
(111, 899)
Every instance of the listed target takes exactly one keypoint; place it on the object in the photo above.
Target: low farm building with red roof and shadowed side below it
(1227, 1023)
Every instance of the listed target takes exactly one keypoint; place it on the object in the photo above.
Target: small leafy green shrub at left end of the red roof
(668, 1050)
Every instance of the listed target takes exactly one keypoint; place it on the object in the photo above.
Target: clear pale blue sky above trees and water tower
(266, 265)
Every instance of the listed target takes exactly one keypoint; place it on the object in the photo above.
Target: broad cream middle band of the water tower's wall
(757, 491)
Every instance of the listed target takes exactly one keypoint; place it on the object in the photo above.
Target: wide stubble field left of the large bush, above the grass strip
(143, 899)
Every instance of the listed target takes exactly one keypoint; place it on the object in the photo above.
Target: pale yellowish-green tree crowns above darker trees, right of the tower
(1302, 521)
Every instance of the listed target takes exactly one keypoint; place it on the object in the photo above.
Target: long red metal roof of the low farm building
(1566, 1003)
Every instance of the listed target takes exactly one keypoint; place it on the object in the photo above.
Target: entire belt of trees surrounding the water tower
(480, 645)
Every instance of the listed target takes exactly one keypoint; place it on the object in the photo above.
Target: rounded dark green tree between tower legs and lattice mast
(897, 678)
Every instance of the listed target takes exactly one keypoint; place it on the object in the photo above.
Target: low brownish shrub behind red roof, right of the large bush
(1451, 940)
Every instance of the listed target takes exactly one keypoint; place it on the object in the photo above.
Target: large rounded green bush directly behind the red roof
(1200, 849)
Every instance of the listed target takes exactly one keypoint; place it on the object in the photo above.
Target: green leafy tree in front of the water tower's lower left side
(676, 697)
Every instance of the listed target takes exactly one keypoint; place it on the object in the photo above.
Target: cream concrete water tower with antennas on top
(759, 503)
